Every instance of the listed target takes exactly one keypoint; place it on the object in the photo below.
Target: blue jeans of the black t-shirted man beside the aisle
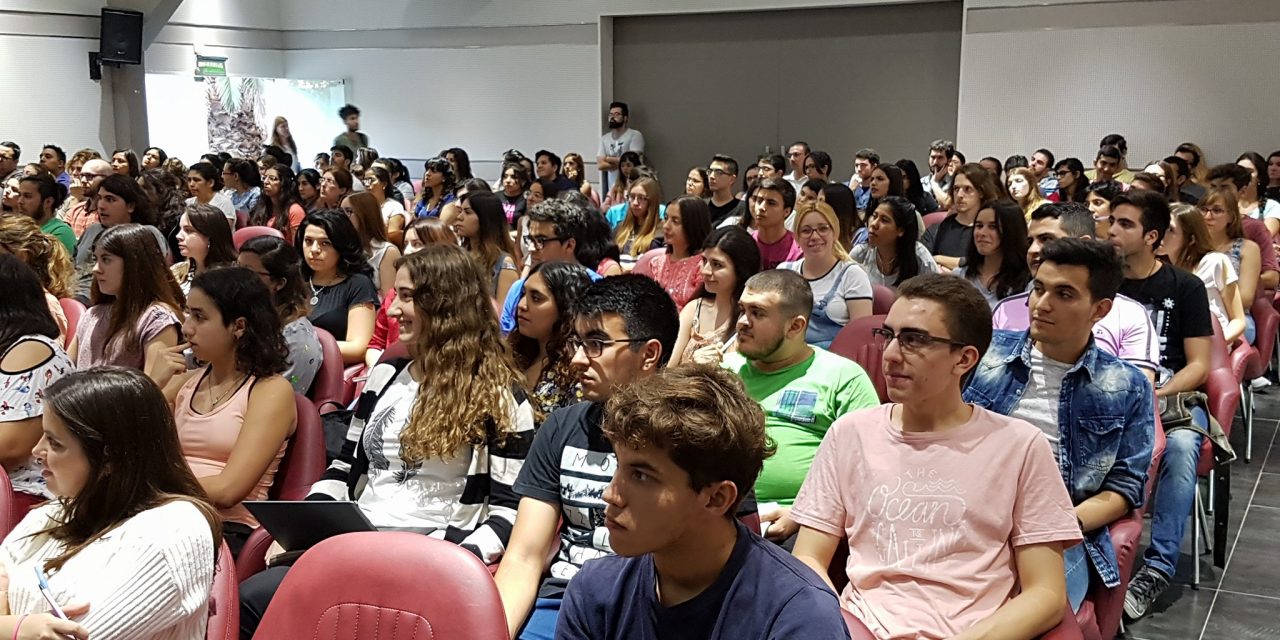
(1176, 496)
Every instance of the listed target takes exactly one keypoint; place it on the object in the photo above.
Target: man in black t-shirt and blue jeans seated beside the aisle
(1180, 312)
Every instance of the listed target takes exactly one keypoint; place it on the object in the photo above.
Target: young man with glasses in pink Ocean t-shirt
(956, 518)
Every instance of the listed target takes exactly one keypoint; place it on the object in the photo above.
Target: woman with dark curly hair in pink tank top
(236, 413)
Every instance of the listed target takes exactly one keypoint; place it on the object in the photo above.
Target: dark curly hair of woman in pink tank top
(239, 292)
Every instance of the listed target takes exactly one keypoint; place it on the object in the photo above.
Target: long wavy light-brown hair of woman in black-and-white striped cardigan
(467, 368)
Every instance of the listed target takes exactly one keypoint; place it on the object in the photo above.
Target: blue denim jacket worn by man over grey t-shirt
(1107, 422)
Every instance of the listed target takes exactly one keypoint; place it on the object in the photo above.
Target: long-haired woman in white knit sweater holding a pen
(130, 542)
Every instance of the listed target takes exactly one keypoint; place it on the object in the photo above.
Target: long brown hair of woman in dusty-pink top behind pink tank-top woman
(148, 281)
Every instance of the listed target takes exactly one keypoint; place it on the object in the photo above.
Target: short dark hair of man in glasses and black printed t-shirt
(646, 308)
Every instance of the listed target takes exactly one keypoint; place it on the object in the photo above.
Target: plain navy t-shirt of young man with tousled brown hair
(762, 593)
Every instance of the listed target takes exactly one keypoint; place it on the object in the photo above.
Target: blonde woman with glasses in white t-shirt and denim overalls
(842, 290)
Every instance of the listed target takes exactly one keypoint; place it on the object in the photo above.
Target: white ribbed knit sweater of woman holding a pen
(148, 579)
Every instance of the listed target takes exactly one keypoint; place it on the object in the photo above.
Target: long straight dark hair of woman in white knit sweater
(135, 464)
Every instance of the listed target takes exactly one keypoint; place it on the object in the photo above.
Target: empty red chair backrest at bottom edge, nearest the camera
(409, 586)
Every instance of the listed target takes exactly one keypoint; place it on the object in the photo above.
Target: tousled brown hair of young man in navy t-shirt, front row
(703, 418)
